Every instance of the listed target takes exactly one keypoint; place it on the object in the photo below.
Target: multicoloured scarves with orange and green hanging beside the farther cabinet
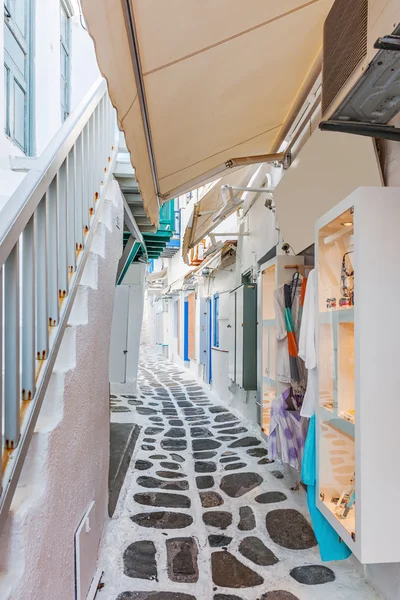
(284, 318)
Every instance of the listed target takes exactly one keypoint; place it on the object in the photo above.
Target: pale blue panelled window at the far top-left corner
(17, 56)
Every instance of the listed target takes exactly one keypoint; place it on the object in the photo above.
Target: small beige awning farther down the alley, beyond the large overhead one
(201, 222)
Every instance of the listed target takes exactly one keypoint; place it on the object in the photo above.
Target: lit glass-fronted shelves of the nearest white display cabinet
(336, 371)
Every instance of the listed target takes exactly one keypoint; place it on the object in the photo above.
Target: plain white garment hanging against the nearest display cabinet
(307, 347)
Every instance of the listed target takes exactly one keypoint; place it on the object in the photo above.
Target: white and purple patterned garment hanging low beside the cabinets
(287, 434)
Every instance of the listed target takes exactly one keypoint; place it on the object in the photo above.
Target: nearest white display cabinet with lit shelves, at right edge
(358, 416)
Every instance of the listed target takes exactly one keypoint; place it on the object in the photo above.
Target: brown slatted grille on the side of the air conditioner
(345, 46)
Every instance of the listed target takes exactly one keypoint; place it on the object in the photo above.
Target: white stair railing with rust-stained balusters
(46, 229)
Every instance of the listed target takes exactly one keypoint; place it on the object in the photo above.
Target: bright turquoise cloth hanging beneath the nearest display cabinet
(330, 545)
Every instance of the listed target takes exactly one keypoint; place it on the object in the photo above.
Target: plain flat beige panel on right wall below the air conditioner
(329, 167)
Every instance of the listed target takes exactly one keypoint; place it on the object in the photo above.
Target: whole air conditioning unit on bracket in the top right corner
(361, 68)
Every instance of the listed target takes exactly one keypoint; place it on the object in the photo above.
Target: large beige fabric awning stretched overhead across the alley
(196, 83)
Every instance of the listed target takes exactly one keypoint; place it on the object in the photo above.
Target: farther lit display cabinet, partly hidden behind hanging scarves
(273, 274)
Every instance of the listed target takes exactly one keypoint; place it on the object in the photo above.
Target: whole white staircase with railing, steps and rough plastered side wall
(60, 242)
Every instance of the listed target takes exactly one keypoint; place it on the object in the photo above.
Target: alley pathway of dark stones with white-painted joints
(204, 514)
